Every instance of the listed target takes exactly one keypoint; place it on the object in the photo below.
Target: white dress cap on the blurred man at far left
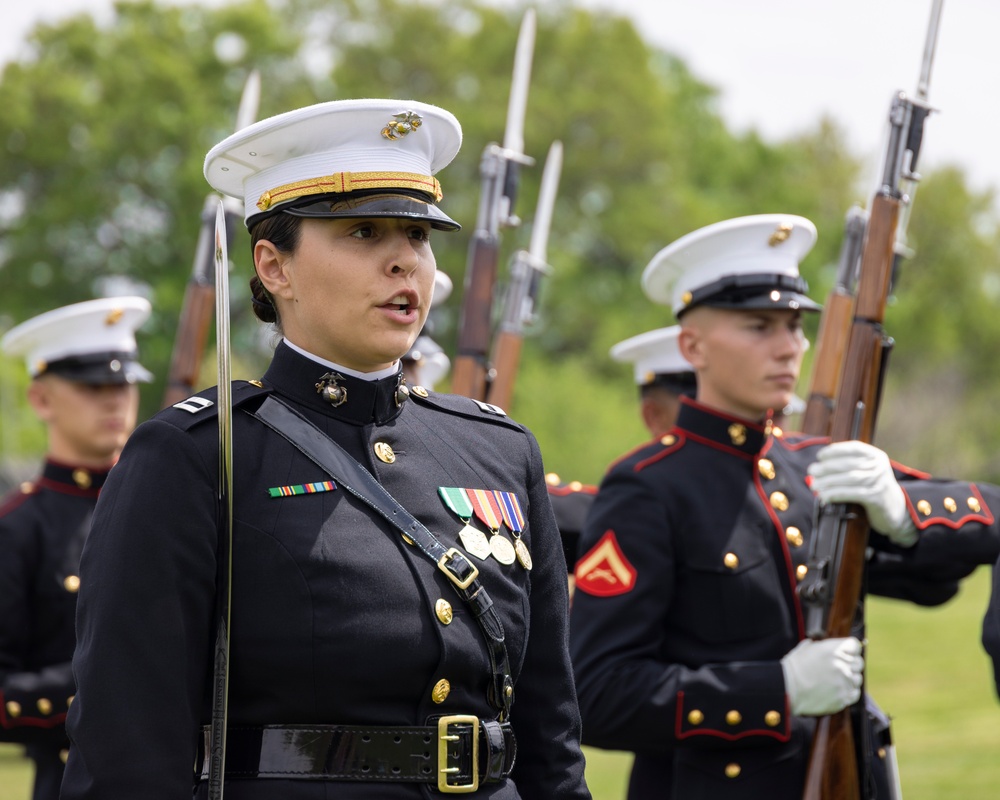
(91, 342)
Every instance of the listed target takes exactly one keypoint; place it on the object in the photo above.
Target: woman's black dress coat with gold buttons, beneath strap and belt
(335, 619)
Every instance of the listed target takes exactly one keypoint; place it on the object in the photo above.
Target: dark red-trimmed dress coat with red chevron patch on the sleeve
(686, 601)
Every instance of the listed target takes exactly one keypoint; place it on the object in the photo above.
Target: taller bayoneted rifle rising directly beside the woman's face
(499, 171)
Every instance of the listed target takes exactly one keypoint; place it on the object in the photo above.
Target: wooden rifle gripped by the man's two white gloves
(831, 591)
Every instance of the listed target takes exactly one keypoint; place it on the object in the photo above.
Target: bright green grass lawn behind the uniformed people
(926, 669)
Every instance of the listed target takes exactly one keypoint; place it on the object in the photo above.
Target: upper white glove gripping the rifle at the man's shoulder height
(856, 472)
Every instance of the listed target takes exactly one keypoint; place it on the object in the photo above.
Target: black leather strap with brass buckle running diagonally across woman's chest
(353, 477)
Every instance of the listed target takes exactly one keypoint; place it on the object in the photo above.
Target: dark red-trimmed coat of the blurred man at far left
(43, 525)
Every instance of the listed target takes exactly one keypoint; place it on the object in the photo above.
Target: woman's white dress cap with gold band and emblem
(343, 147)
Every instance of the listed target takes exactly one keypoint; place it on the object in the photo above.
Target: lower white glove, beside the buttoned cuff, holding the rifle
(823, 676)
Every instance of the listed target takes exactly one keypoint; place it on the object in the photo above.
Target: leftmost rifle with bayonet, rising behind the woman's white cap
(199, 295)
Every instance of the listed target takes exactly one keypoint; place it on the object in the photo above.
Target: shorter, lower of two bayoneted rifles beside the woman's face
(526, 274)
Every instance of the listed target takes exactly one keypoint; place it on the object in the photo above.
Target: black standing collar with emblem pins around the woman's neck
(296, 376)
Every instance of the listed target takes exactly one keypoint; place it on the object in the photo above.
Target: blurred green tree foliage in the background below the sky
(105, 130)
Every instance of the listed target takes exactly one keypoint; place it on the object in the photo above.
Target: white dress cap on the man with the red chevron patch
(747, 262)
